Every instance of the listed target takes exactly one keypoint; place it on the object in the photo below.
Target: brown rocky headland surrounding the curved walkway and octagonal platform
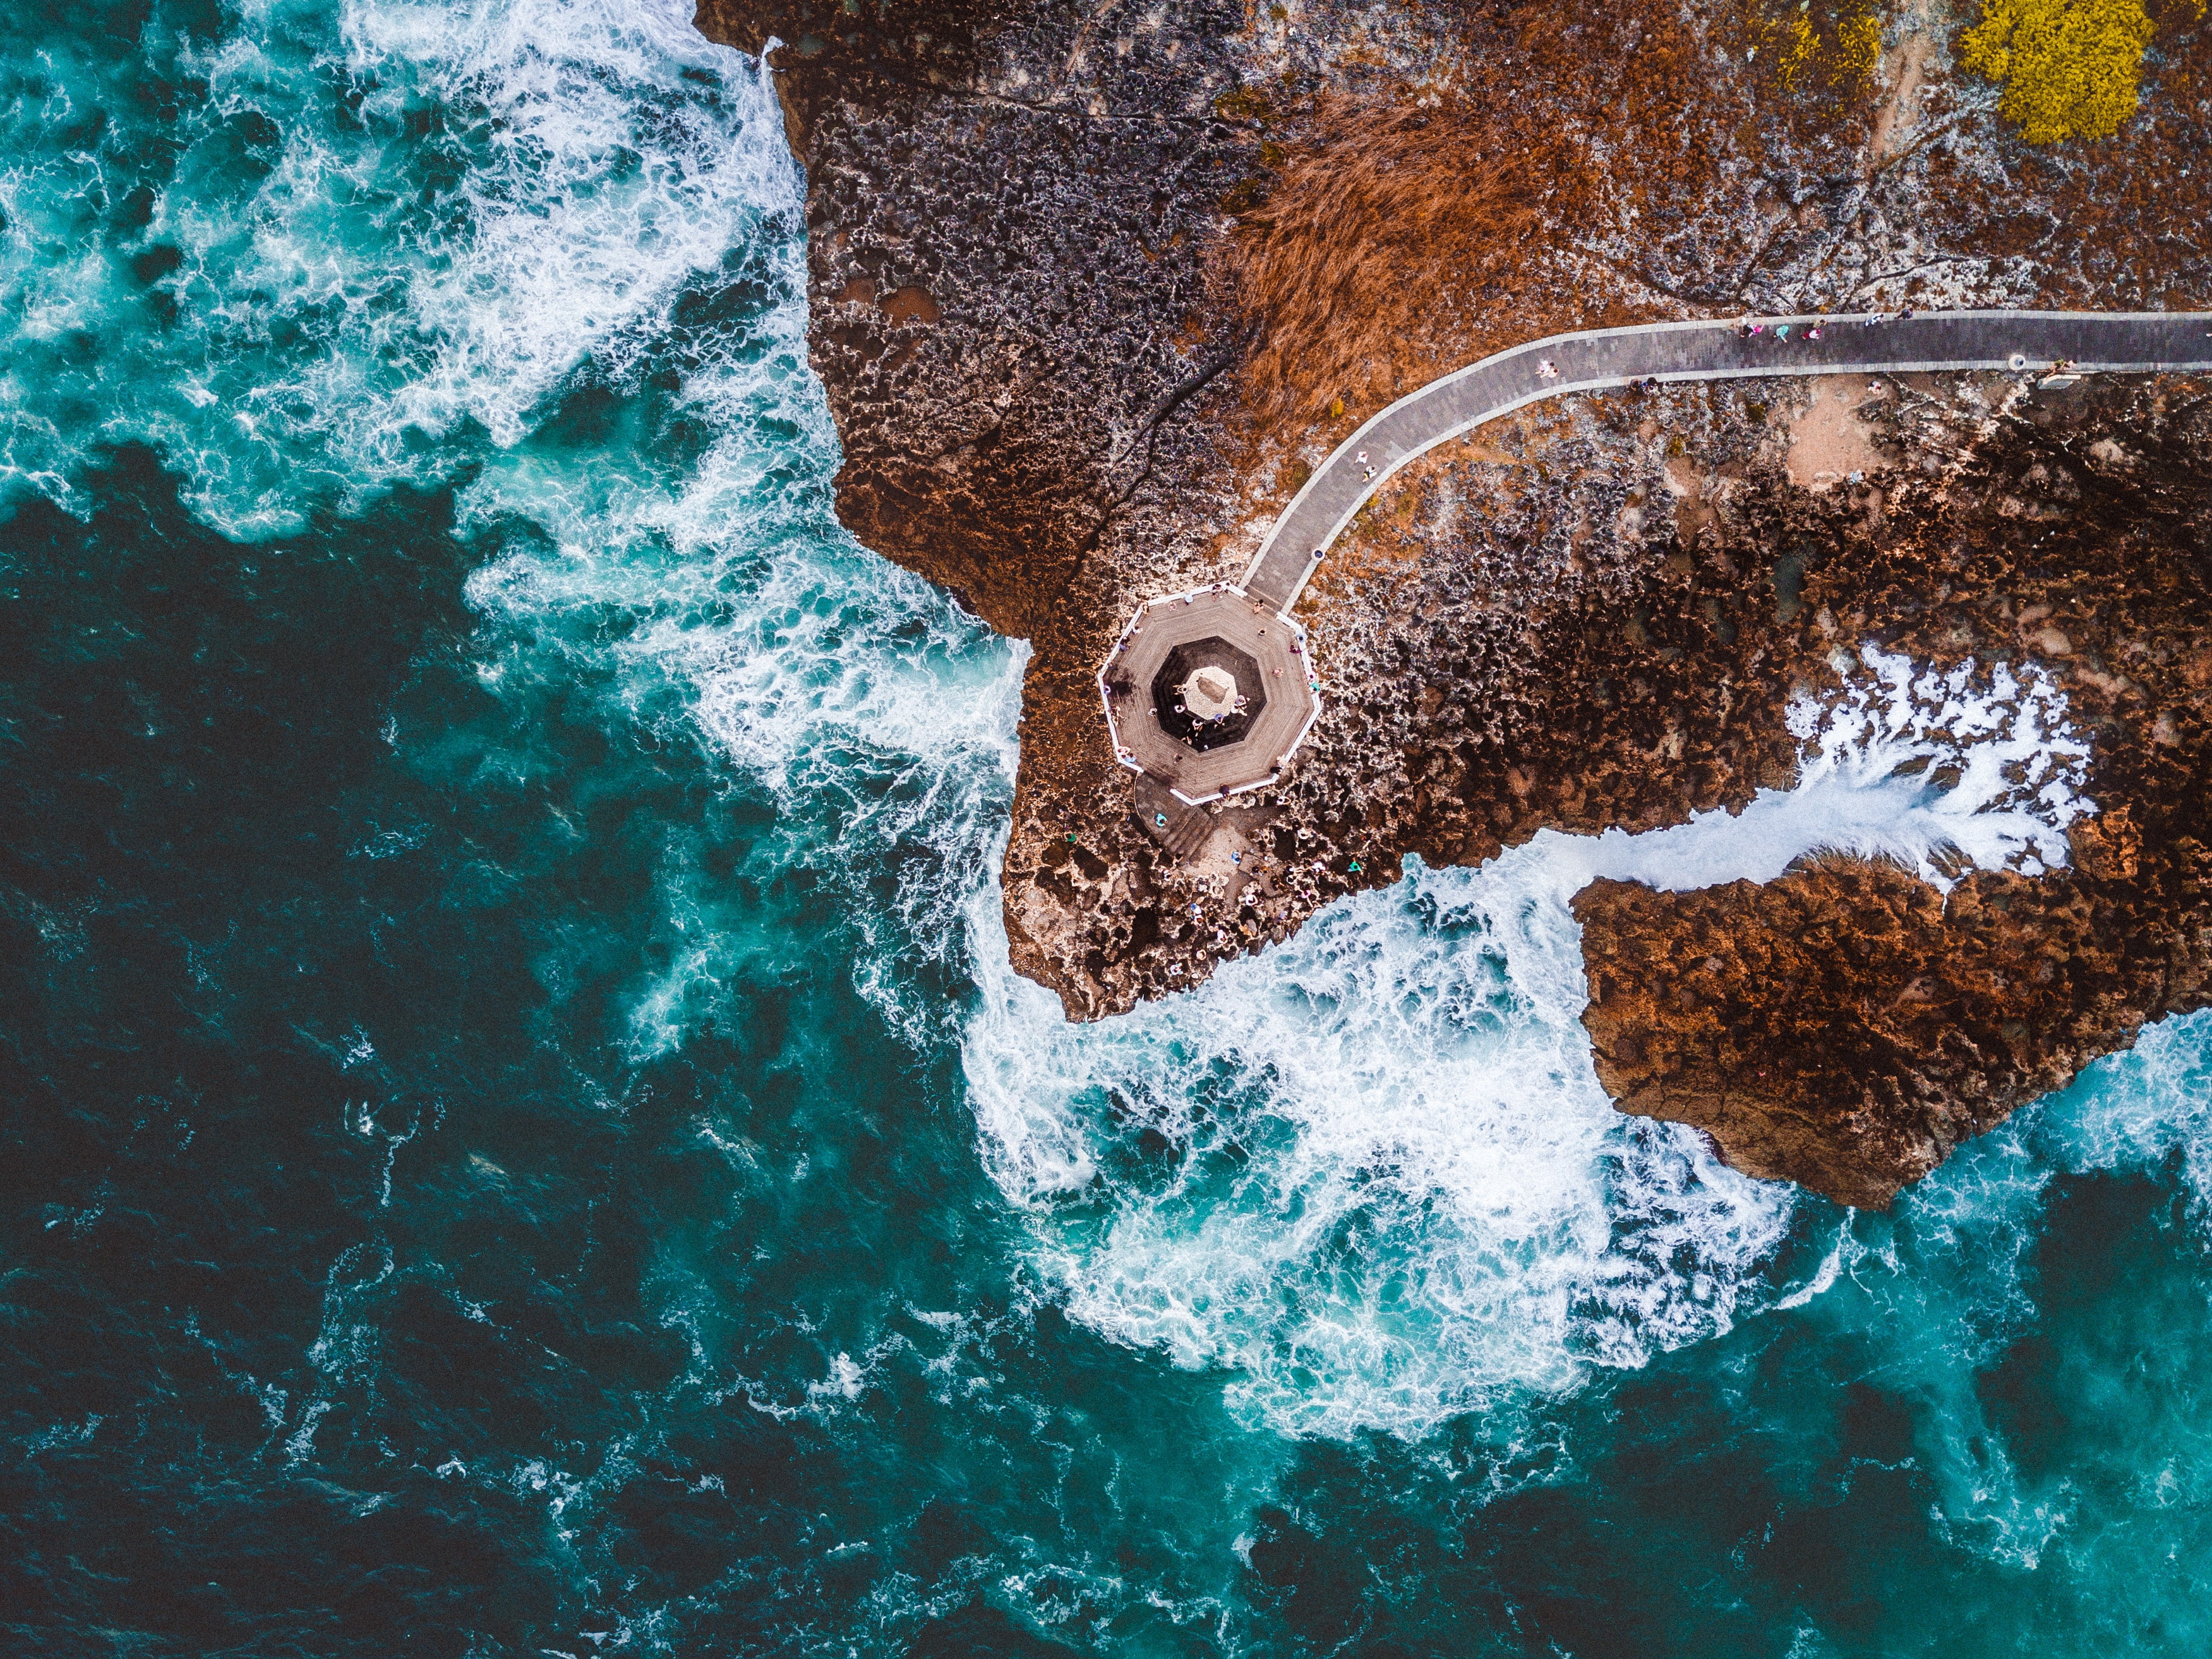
(1061, 320)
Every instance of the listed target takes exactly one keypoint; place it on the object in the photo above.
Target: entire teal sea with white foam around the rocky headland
(519, 1129)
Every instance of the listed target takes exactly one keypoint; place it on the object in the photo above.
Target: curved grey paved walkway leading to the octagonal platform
(1616, 357)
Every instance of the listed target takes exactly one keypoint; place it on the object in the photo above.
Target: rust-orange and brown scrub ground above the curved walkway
(1397, 229)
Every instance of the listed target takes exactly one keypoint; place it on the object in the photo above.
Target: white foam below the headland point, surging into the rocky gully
(1384, 1182)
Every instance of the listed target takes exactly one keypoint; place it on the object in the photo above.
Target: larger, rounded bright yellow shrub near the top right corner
(2069, 67)
